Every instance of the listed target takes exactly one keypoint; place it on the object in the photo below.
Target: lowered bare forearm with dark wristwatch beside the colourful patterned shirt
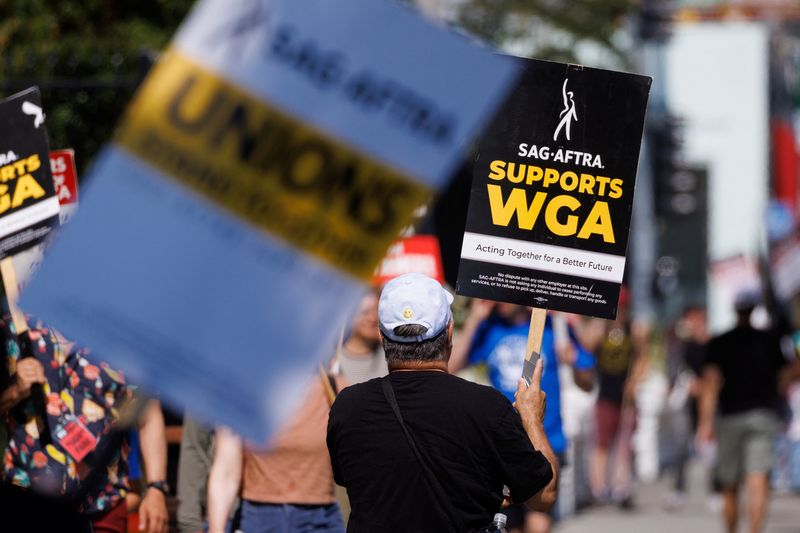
(153, 516)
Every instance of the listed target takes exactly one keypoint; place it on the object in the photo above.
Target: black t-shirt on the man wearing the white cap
(470, 433)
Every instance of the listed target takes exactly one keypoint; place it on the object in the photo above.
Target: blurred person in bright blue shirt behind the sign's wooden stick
(496, 334)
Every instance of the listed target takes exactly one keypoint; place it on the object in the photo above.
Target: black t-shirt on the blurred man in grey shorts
(749, 361)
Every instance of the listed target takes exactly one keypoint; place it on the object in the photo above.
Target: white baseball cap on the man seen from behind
(414, 299)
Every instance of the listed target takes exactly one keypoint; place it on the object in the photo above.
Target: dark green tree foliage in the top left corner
(87, 57)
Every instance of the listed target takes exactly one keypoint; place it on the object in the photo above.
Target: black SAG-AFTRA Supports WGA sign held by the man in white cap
(552, 191)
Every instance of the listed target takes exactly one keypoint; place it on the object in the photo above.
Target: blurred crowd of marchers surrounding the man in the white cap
(625, 404)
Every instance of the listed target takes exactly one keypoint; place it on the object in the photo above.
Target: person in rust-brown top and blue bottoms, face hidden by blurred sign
(285, 488)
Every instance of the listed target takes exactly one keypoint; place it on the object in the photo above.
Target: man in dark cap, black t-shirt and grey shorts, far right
(741, 384)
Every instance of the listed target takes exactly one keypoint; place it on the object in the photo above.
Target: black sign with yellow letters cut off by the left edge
(28, 203)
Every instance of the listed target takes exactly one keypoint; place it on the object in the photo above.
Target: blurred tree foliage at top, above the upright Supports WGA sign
(547, 29)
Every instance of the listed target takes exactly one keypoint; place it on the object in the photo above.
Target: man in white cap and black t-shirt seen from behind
(470, 440)
